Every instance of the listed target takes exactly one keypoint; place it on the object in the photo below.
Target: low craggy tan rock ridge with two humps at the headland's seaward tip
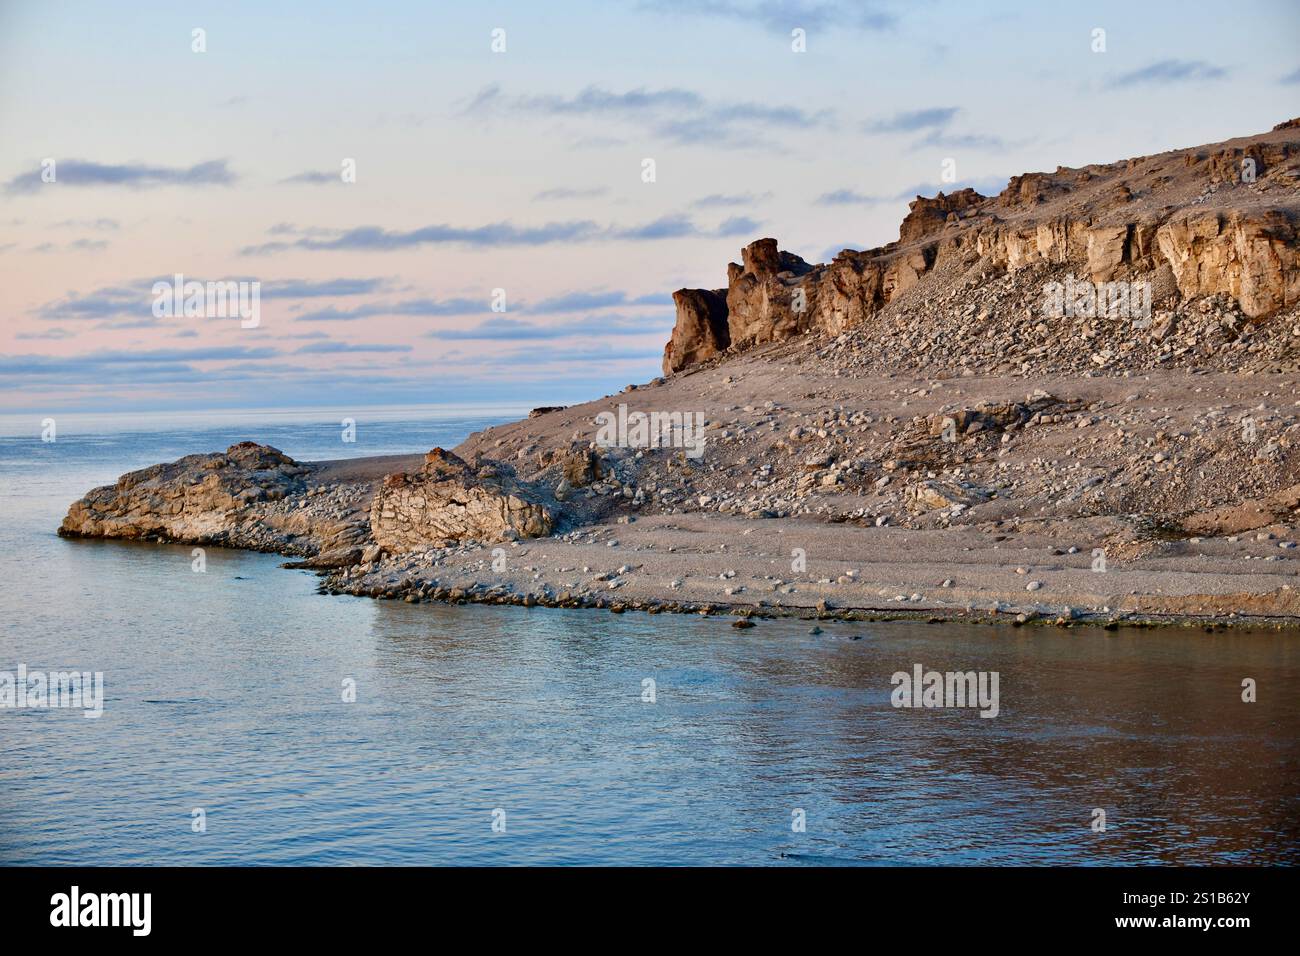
(259, 499)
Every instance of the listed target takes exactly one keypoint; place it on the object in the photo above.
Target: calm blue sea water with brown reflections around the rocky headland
(226, 695)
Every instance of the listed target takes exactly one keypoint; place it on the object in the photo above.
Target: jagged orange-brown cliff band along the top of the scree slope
(1221, 219)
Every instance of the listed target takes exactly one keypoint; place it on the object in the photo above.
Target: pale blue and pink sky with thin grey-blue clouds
(502, 239)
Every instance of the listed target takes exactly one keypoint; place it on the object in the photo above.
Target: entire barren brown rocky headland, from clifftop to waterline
(1074, 401)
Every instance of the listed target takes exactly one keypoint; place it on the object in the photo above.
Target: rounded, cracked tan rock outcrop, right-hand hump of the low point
(448, 503)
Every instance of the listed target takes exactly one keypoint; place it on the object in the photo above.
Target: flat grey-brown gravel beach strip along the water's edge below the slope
(651, 568)
